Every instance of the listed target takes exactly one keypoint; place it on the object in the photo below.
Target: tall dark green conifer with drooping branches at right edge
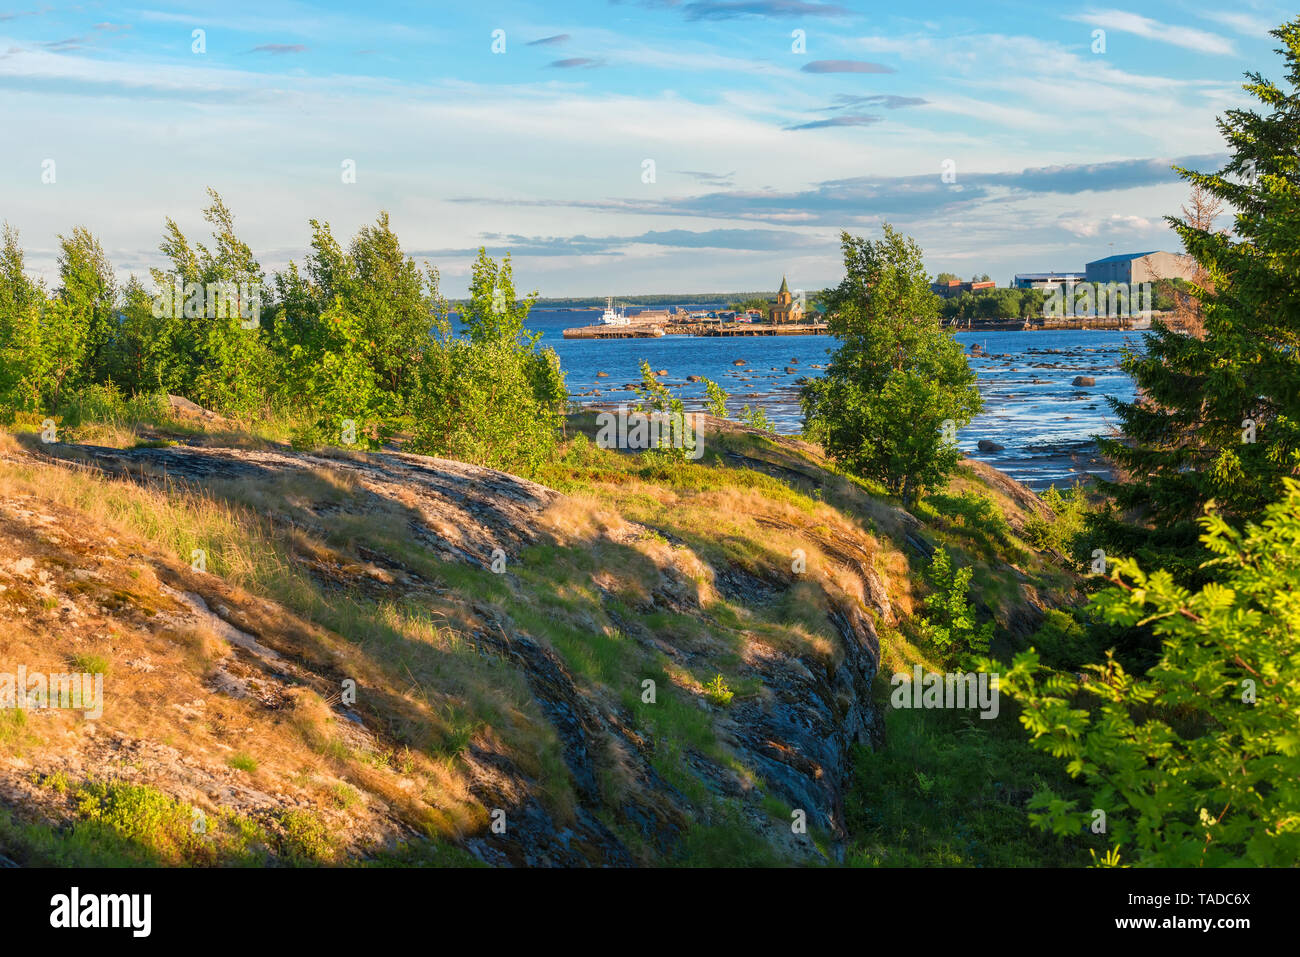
(1219, 417)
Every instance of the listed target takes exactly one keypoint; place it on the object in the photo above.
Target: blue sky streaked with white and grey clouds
(619, 149)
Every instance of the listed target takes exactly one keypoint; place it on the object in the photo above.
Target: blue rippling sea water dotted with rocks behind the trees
(1030, 408)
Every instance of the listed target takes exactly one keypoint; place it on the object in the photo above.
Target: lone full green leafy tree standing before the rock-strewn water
(898, 378)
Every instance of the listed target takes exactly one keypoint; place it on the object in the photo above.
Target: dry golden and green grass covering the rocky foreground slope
(296, 785)
